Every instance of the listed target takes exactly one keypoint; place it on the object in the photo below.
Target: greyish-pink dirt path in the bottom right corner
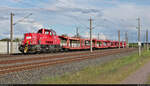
(138, 77)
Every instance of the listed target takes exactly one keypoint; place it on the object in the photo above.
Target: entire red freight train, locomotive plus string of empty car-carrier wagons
(46, 40)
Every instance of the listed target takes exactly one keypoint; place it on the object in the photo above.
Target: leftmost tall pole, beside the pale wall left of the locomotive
(11, 33)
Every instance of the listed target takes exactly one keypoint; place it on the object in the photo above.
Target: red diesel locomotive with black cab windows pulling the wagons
(43, 41)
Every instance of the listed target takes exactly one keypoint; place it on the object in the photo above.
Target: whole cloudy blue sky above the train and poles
(64, 16)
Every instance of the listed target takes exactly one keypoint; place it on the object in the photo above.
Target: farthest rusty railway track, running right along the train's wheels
(22, 56)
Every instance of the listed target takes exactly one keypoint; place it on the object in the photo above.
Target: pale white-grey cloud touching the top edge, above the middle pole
(64, 6)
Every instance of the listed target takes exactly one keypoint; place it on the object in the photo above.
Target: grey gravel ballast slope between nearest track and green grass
(36, 75)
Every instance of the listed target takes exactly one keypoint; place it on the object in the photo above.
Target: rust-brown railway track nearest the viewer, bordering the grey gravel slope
(10, 69)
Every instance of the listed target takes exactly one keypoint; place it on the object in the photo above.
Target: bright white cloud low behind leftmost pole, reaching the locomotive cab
(25, 26)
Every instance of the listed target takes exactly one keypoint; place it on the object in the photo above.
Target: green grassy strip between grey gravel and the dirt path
(111, 72)
